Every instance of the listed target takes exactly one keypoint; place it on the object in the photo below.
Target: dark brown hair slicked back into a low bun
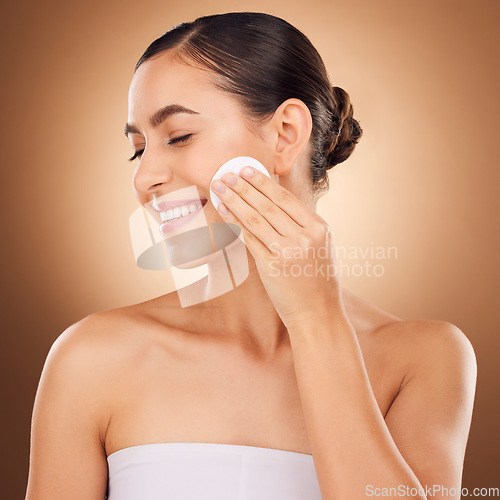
(264, 60)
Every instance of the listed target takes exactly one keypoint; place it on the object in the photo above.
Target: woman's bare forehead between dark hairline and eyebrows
(163, 80)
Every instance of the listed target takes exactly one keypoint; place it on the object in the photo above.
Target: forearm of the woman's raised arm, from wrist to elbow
(350, 442)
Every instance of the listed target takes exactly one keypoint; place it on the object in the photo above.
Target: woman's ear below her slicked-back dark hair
(292, 123)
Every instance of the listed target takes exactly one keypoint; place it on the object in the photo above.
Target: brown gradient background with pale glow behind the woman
(424, 79)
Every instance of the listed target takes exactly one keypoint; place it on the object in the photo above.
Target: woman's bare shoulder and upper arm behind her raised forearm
(433, 365)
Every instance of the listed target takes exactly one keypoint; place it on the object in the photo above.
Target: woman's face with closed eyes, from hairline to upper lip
(216, 131)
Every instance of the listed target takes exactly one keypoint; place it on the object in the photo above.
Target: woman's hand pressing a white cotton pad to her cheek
(292, 245)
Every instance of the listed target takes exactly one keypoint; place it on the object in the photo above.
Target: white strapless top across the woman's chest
(210, 471)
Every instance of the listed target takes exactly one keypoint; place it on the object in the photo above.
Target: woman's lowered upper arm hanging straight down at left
(67, 457)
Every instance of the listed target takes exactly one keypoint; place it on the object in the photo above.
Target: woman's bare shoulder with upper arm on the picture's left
(73, 404)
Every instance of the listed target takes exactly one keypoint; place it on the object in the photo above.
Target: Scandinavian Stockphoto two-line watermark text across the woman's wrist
(351, 261)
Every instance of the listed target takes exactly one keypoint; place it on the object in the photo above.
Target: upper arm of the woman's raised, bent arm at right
(430, 418)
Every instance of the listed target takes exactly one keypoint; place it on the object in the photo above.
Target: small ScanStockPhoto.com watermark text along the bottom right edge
(429, 491)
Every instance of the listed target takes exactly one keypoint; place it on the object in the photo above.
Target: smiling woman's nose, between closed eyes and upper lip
(151, 177)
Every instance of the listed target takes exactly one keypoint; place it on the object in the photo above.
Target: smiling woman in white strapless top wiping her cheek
(287, 386)
